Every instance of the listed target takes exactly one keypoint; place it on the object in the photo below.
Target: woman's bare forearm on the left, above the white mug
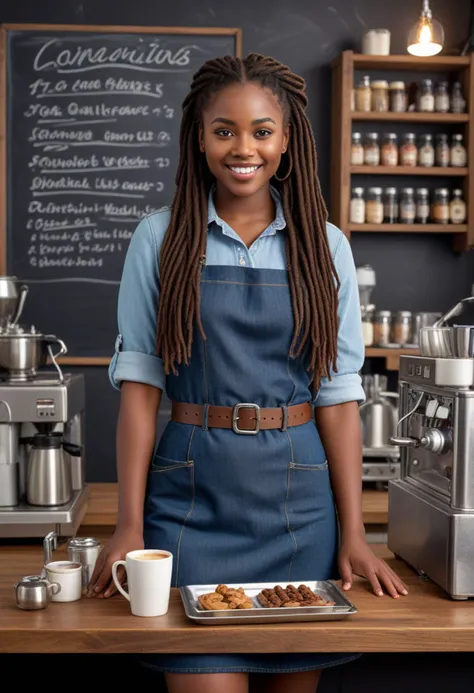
(135, 439)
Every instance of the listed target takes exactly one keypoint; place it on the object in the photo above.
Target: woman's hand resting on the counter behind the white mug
(123, 540)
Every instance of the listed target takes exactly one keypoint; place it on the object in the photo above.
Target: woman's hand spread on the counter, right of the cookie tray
(356, 557)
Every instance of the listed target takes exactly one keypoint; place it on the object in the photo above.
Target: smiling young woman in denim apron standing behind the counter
(241, 302)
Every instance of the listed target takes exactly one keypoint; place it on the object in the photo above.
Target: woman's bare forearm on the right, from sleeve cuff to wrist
(340, 431)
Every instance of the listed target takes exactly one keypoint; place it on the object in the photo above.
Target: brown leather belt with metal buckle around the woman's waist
(244, 418)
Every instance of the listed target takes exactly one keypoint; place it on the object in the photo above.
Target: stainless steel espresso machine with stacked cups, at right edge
(431, 505)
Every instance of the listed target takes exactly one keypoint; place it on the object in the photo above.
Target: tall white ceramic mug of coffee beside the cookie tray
(149, 581)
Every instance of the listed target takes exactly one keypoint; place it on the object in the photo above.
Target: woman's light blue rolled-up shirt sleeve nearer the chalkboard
(134, 356)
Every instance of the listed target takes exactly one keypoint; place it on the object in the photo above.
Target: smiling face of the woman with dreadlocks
(243, 136)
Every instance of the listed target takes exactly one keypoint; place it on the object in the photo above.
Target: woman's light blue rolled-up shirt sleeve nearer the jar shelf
(346, 384)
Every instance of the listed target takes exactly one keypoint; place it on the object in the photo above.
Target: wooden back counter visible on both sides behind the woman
(103, 505)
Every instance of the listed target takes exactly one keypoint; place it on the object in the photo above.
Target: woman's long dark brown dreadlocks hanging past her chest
(312, 276)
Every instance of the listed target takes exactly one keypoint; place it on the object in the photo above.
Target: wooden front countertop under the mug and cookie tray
(425, 620)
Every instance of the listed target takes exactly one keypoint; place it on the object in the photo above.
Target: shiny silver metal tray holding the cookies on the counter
(259, 614)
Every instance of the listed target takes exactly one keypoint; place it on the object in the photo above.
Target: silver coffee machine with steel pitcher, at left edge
(42, 457)
